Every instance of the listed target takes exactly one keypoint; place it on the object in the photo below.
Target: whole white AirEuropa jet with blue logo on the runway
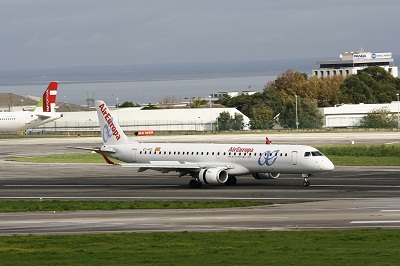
(212, 164)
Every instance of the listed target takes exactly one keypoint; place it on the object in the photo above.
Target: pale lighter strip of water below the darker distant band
(142, 91)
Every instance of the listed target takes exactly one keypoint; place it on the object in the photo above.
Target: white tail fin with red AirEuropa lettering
(111, 132)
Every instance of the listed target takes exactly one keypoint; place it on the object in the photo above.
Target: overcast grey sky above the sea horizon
(51, 33)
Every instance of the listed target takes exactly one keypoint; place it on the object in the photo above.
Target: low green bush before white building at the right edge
(379, 118)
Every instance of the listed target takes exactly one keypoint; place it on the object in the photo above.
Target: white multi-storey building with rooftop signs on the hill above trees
(351, 62)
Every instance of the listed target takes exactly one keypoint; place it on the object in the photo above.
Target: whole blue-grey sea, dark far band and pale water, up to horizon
(149, 83)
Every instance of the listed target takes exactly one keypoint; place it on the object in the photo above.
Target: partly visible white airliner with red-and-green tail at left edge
(44, 112)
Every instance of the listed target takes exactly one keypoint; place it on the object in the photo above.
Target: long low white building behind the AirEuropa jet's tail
(134, 119)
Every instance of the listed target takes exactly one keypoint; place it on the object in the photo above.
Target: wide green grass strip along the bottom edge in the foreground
(339, 247)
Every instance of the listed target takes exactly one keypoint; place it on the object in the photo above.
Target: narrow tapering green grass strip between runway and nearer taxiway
(56, 205)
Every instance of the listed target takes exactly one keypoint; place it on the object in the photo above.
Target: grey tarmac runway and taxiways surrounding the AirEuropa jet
(348, 197)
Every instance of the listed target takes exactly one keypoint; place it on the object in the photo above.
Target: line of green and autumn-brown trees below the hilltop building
(276, 104)
